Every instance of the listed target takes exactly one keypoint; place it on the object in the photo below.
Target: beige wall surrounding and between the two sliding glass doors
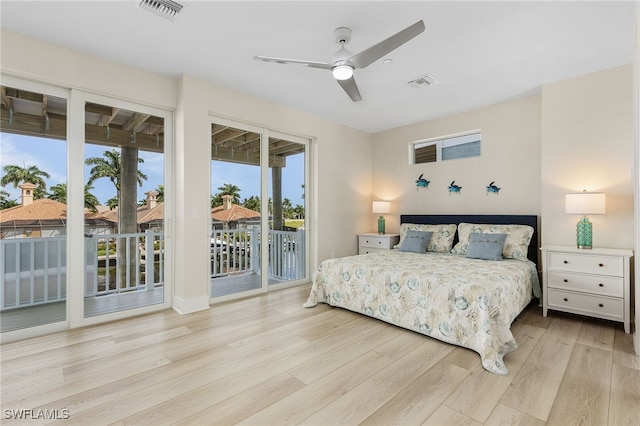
(341, 169)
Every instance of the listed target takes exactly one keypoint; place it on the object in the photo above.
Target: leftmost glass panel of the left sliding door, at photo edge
(33, 220)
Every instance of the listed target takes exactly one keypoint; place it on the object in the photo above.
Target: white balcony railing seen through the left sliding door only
(33, 270)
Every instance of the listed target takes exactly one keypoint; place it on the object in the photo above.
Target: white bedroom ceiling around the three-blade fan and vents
(481, 52)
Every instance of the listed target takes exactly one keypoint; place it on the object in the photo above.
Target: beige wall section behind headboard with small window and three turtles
(510, 156)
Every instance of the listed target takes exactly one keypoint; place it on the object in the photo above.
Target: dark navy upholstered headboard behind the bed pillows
(439, 219)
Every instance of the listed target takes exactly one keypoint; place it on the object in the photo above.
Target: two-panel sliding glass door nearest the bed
(258, 181)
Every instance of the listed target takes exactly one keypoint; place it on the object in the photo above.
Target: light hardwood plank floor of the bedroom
(268, 361)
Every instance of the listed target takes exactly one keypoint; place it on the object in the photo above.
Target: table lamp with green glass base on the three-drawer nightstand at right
(585, 203)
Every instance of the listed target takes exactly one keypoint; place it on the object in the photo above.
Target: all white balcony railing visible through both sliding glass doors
(33, 270)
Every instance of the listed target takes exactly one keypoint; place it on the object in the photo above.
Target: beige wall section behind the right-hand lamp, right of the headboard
(587, 143)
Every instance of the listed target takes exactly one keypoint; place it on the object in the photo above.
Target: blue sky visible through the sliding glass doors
(49, 155)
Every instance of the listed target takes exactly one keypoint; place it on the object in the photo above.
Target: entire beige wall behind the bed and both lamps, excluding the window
(578, 134)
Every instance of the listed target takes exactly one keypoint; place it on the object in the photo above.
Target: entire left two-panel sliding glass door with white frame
(83, 207)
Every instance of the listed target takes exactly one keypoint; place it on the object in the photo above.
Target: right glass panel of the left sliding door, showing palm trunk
(125, 255)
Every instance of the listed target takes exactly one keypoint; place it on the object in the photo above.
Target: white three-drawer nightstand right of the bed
(593, 282)
